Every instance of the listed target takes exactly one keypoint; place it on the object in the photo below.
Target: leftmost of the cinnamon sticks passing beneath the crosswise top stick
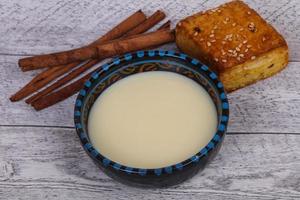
(50, 74)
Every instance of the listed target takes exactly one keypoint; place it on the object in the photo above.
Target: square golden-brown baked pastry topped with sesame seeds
(235, 41)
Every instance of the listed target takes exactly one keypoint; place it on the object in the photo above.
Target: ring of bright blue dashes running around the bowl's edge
(168, 170)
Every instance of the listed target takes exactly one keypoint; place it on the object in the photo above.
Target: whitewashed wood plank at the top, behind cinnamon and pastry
(35, 27)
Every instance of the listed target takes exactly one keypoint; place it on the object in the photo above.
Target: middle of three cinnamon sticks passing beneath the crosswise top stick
(146, 25)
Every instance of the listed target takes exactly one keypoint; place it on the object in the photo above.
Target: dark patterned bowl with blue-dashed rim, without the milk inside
(139, 62)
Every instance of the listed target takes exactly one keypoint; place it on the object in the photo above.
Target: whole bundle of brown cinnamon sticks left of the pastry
(51, 86)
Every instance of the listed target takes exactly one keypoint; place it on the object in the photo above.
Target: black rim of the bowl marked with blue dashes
(105, 162)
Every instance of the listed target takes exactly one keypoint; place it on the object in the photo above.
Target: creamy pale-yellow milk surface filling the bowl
(152, 120)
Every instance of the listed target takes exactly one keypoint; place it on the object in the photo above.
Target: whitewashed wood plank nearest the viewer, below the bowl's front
(44, 163)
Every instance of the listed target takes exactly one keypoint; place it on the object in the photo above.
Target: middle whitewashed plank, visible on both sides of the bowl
(271, 105)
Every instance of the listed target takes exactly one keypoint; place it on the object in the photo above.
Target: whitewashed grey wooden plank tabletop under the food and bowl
(41, 158)
